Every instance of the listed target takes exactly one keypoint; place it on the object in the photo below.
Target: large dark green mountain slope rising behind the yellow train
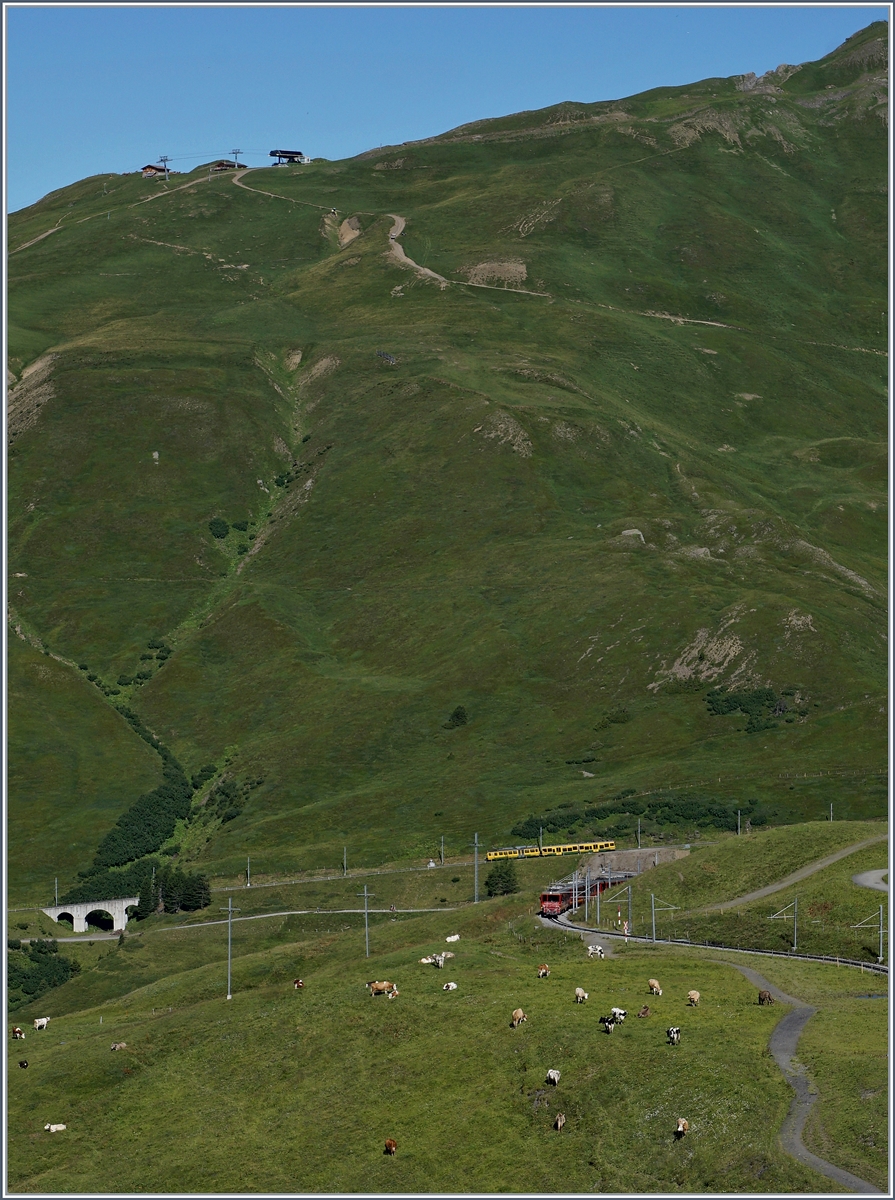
(633, 448)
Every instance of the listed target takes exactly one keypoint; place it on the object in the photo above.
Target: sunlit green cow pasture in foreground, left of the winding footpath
(403, 1069)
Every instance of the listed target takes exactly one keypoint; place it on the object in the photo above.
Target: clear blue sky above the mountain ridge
(109, 89)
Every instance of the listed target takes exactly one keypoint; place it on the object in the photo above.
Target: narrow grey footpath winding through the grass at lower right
(783, 1046)
